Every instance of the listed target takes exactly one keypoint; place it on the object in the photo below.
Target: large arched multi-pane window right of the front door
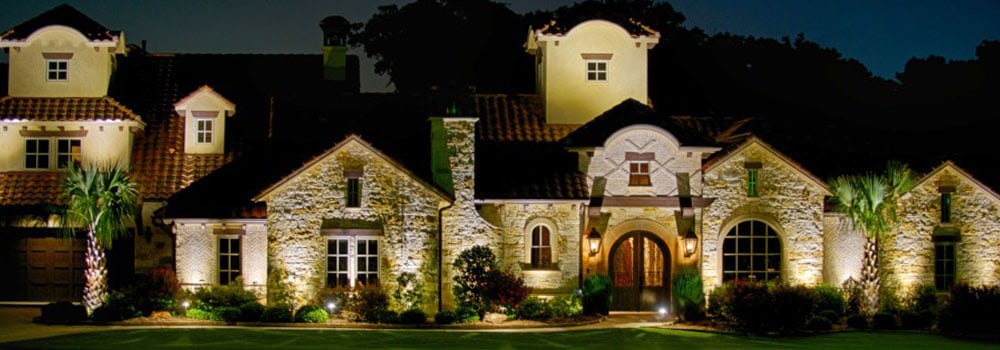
(751, 251)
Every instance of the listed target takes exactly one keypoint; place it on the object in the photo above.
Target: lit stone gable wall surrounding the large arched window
(787, 201)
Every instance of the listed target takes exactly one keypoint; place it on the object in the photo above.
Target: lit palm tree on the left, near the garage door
(100, 199)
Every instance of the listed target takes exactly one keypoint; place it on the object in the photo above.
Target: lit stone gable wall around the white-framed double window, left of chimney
(406, 208)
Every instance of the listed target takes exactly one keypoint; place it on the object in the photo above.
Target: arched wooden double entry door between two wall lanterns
(640, 272)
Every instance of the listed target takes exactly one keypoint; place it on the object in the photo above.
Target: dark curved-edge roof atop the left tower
(61, 15)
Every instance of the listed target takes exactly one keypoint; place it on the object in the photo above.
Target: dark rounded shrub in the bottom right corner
(971, 311)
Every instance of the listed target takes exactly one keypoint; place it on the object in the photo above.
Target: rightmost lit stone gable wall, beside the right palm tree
(909, 254)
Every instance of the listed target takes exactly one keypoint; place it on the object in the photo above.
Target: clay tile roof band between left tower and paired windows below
(64, 109)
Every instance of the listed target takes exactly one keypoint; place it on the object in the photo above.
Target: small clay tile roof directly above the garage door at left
(20, 188)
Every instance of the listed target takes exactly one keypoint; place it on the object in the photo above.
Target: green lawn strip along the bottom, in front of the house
(250, 338)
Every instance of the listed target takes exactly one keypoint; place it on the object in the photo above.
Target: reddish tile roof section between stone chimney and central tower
(514, 118)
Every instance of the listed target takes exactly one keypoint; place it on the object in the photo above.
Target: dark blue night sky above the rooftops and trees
(882, 34)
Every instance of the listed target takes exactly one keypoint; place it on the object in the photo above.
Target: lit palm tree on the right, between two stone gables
(869, 203)
